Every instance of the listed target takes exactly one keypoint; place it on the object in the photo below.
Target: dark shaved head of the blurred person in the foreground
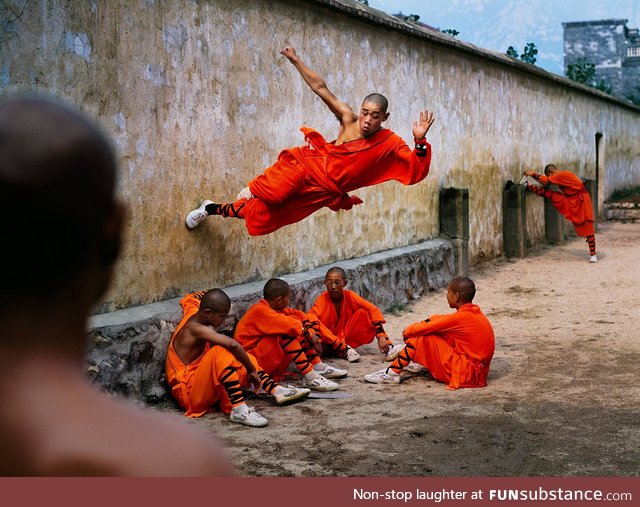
(57, 186)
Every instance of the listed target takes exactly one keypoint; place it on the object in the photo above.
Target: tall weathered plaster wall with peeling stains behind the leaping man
(198, 101)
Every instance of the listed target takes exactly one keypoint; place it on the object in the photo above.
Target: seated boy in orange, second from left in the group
(278, 336)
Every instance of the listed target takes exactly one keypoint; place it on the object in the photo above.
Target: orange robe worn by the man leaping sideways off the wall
(307, 178)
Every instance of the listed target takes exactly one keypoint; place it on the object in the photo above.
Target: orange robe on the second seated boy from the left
(259, 331)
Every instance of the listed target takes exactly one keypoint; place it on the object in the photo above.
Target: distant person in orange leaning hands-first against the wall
(573, 201)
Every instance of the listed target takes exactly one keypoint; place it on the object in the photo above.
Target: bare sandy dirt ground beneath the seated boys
(563, 397)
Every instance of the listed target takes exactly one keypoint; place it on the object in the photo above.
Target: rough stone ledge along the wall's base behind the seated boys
(126, 348)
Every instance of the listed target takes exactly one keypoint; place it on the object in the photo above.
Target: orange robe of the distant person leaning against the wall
(573, 202)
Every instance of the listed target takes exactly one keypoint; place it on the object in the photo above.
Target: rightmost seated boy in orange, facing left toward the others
(456, 349)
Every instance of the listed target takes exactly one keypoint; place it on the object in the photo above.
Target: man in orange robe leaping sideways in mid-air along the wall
(320, 174)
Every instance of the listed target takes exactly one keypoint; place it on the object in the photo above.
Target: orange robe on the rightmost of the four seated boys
(456, 349)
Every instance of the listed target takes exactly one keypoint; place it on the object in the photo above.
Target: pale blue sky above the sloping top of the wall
(498, 24)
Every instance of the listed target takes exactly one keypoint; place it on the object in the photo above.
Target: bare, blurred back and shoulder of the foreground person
(55, 424)
